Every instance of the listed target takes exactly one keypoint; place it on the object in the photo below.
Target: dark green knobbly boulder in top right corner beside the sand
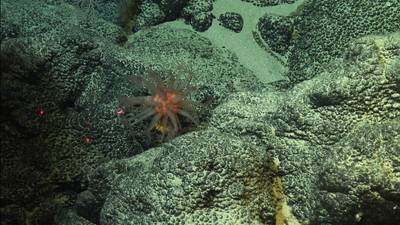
(325, 28)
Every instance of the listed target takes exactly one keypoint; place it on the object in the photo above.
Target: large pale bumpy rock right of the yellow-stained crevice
(309, 129)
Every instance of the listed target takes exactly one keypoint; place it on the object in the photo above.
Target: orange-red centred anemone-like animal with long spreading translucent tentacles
(166, 104)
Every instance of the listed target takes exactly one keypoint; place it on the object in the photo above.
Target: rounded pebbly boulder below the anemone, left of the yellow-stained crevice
(202, 178)
